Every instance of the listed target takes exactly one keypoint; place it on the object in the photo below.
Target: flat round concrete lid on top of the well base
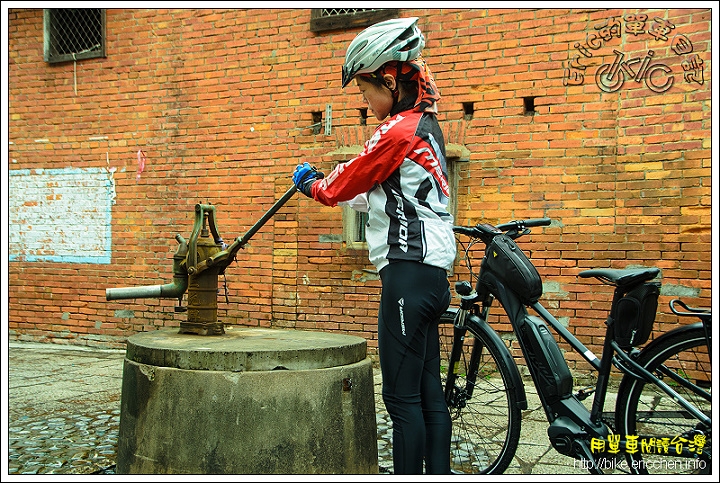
(245, 349)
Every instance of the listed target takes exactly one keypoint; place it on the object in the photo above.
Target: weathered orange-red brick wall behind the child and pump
(219, 102)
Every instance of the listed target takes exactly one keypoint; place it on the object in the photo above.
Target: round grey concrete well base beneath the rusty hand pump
(251, 401)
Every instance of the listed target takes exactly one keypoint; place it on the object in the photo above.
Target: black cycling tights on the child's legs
(414, 296)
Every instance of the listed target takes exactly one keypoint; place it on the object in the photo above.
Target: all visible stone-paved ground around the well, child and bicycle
(64, 416)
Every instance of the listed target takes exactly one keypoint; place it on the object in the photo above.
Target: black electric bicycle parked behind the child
(661, 420)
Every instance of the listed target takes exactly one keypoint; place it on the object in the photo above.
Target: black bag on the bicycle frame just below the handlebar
(504, 259)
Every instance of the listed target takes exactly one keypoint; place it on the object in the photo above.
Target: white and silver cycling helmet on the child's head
(399, 39)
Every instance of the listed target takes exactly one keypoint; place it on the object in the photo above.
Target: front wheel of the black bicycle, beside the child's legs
(486, 426)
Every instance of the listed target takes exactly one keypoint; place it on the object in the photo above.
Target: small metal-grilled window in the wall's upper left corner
(74, 34)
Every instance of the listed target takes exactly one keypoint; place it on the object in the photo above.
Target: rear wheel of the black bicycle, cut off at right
(645, 411)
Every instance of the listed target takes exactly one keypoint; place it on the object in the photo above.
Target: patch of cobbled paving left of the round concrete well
(63, 409)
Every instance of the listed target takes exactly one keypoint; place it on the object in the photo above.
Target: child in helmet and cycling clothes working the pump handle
(400, 180)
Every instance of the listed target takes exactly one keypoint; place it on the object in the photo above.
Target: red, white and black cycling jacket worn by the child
(402, 174)
